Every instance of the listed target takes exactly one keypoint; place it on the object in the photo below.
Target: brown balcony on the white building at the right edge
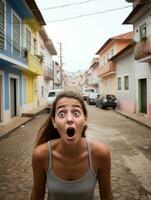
(143, 50)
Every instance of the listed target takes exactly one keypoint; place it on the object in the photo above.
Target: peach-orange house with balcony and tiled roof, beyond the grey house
(107, 70)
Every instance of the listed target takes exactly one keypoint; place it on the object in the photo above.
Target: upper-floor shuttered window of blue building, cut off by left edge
(2, 25)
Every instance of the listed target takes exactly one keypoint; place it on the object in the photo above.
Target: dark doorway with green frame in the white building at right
(143, 93)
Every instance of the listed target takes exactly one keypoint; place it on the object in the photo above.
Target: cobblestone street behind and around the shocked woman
(129, 143)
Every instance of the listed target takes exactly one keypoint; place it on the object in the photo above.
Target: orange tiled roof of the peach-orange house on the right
(122, 37)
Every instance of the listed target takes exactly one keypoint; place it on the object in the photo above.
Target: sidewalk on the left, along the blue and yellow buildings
(16, 122)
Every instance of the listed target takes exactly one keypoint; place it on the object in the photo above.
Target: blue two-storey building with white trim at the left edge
(13, 59)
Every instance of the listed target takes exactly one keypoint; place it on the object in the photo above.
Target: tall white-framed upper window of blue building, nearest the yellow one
(16, 35)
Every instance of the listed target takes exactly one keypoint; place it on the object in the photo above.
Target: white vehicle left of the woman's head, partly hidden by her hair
(51, 97)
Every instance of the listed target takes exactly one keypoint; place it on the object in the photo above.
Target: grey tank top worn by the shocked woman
(80, 189)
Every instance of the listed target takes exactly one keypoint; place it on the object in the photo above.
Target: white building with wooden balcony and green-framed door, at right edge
(140, 18)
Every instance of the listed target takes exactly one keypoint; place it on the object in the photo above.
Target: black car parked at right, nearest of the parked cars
(108, 100)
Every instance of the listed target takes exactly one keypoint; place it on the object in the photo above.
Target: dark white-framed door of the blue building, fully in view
(13, 97)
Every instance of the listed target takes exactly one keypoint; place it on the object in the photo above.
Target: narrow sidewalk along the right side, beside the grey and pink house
(137, 117)
